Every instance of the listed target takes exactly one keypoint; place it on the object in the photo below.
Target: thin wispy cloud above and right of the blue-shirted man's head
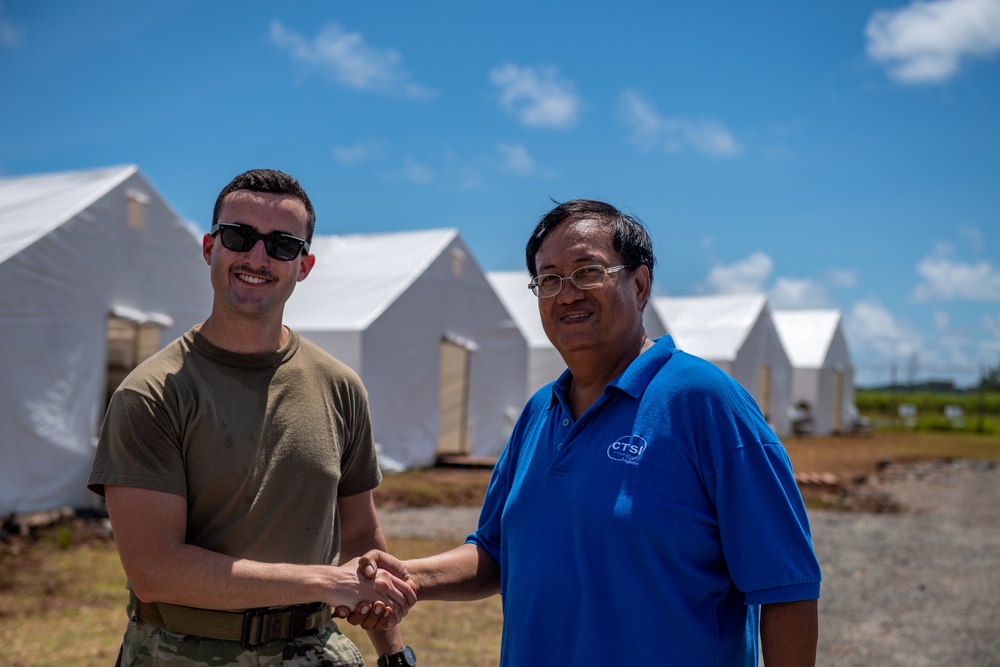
(649, 130)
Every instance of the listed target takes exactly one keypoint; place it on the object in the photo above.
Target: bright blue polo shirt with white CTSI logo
(649, 530)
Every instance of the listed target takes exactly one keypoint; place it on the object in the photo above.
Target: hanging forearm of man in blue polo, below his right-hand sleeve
(788, 633)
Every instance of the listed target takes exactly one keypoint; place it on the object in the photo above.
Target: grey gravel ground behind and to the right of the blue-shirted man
(915, 584)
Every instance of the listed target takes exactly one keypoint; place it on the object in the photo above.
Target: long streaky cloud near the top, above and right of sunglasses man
(351, 62)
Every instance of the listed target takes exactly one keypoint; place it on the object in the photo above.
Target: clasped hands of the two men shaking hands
(381, 590)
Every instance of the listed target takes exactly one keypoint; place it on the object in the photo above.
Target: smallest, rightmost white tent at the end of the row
(822, 372)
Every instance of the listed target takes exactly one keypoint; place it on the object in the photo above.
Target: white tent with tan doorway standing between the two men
(414, 315)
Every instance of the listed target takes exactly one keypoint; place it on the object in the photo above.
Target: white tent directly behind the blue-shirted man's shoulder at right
(736, 333)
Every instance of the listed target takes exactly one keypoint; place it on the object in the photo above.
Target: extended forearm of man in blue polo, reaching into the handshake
(464, 573)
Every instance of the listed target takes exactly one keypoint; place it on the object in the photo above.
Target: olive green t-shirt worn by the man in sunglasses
(260, 445)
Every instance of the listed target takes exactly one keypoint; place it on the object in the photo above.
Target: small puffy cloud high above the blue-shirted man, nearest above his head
(537, 97)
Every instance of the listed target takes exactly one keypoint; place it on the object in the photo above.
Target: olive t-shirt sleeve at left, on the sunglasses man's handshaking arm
(138, 447)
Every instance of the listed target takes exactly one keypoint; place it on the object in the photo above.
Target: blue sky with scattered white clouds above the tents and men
(839, 154)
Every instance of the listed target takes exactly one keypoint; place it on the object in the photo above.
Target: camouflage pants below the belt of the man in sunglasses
(147, 645)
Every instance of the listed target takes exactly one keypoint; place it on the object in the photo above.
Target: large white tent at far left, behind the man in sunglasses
(96, 273)
